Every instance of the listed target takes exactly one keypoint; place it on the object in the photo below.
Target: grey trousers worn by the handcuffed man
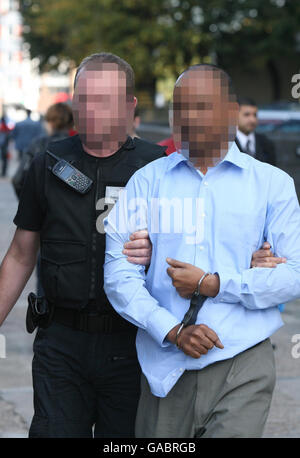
(229, 398)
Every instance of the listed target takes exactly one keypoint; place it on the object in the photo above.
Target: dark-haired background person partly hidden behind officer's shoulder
(58, 125)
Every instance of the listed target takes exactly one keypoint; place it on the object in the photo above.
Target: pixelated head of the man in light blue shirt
(204, 116)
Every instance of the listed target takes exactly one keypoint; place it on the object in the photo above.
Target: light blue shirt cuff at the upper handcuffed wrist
(230, 287)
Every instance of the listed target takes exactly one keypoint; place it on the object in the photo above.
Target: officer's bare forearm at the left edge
(14, 274)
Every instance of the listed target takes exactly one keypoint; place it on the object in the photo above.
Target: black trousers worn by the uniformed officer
(85, 385)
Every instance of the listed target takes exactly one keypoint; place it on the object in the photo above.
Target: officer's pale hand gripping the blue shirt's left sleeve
(139, 249)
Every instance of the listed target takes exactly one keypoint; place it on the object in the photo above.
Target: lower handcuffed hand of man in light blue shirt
(195, 340)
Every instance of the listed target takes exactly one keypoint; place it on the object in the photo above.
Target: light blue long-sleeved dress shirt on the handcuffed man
(218, 220)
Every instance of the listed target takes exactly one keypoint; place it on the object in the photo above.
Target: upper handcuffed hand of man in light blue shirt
(185, 278)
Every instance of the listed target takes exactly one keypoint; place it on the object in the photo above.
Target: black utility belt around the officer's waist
(91, 323)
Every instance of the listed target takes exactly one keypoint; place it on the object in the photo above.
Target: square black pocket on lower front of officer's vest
(64, 270)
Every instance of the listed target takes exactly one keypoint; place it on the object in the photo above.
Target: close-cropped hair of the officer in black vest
(94, 61)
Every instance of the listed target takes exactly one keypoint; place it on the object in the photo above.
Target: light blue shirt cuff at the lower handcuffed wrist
(160, 324)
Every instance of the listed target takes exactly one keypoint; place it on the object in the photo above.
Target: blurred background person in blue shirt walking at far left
(25, 131)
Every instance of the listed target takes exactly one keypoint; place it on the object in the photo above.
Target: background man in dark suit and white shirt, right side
(248, 141)
